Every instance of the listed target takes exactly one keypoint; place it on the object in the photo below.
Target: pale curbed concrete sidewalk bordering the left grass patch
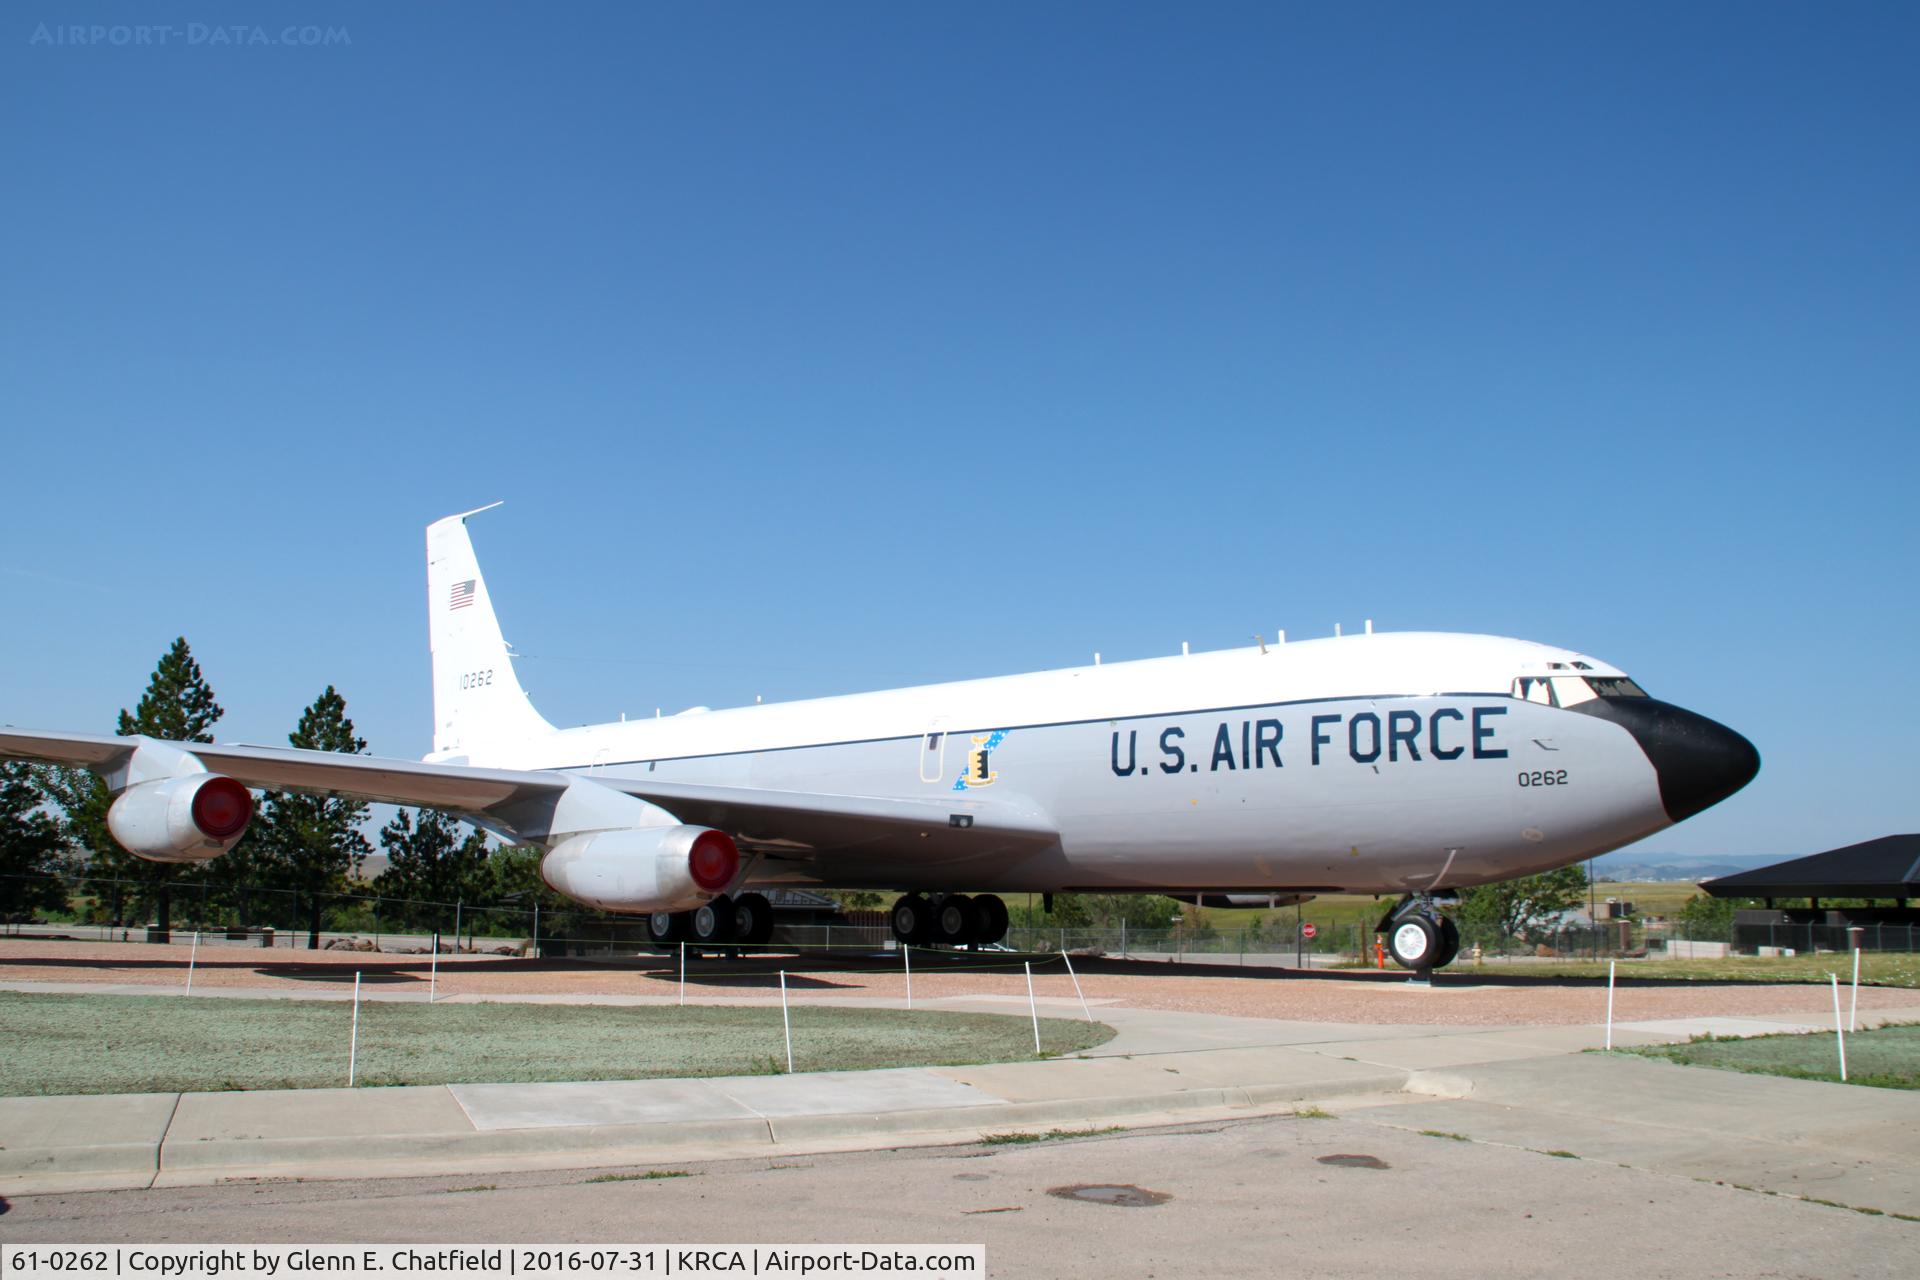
(1163, 1068)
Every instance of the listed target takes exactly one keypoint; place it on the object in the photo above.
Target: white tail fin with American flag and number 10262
(479, 705)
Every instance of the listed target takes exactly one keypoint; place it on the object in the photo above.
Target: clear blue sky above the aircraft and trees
(840, 346)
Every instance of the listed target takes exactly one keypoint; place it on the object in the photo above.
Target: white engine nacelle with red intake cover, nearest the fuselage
(642, 870)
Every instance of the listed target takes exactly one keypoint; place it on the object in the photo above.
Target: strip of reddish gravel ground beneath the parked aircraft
(1462, 997)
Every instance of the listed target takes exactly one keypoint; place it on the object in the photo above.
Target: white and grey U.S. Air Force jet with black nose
(1387, 763)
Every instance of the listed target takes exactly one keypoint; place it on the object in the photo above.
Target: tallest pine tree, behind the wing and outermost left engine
(178, 707)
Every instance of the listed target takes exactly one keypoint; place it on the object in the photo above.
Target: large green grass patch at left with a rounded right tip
(122, 1045)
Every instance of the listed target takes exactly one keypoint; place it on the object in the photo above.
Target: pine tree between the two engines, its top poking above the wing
(312, 843)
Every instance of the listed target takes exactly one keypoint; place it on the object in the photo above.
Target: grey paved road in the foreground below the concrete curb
(1243, 1198)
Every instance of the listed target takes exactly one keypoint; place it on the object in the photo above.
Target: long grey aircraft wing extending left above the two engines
(790, 824)
